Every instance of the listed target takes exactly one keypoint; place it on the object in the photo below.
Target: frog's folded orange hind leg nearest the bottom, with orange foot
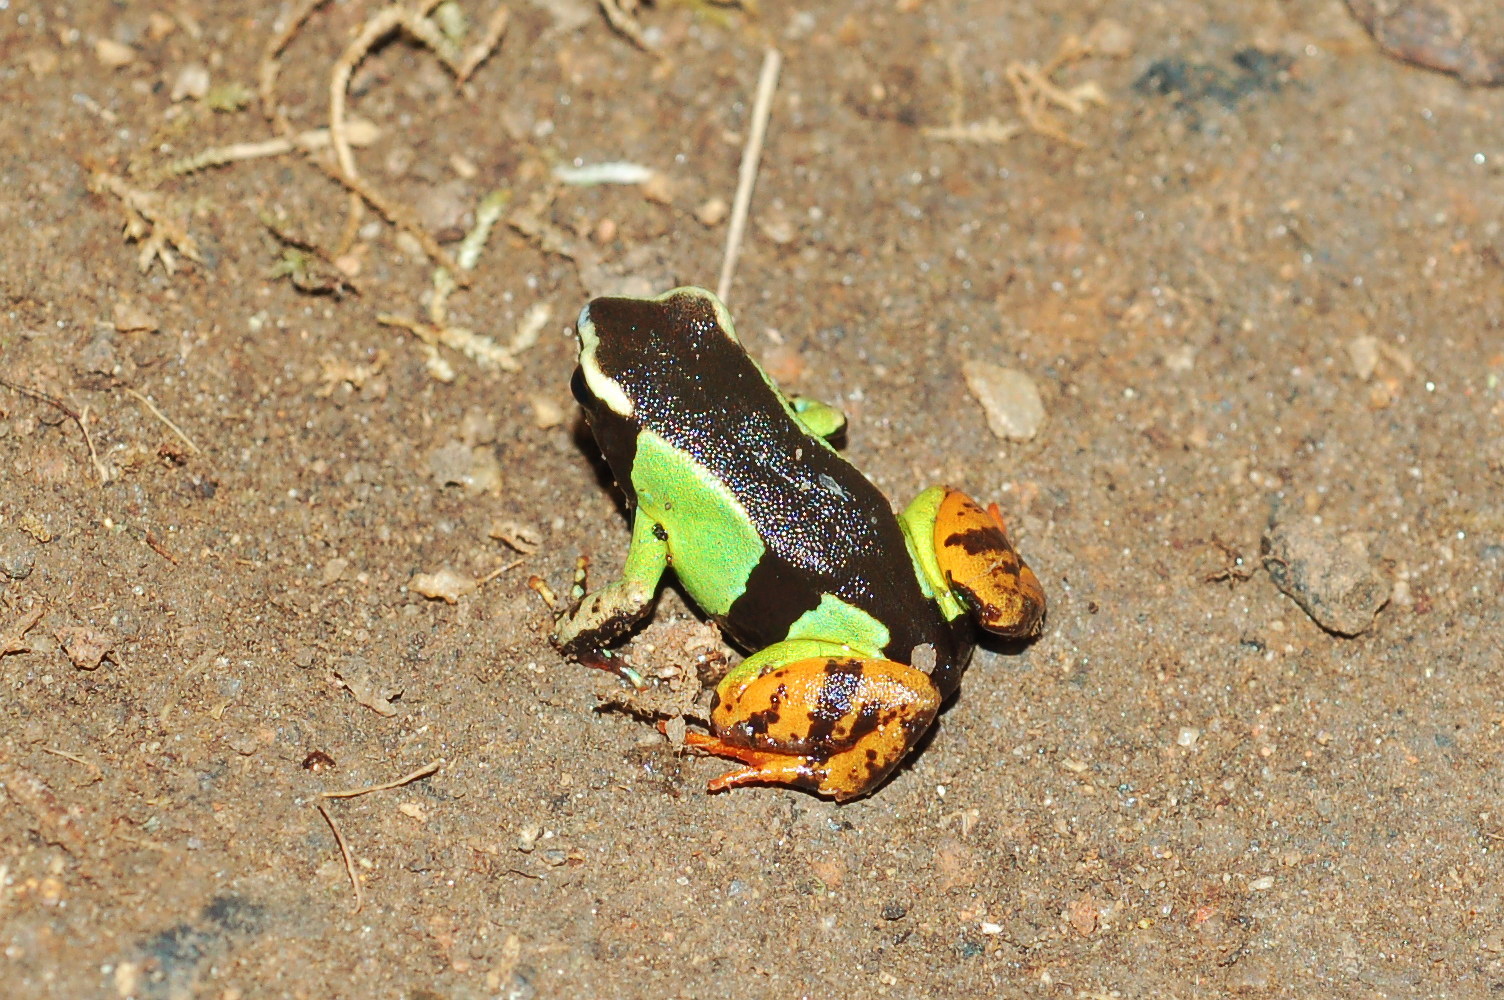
(817, 717)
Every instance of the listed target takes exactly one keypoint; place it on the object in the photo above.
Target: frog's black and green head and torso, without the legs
(760, 500)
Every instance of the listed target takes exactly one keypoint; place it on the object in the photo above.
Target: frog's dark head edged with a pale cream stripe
(631, 347)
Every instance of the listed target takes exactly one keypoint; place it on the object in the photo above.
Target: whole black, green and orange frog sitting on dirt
(857, 622)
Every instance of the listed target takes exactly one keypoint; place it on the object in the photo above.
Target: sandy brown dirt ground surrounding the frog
(1258, 288)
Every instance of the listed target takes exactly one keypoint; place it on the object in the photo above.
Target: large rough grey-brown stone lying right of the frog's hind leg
(1327, 574)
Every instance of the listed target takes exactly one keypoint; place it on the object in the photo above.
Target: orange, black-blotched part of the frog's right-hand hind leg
(984, 569)
